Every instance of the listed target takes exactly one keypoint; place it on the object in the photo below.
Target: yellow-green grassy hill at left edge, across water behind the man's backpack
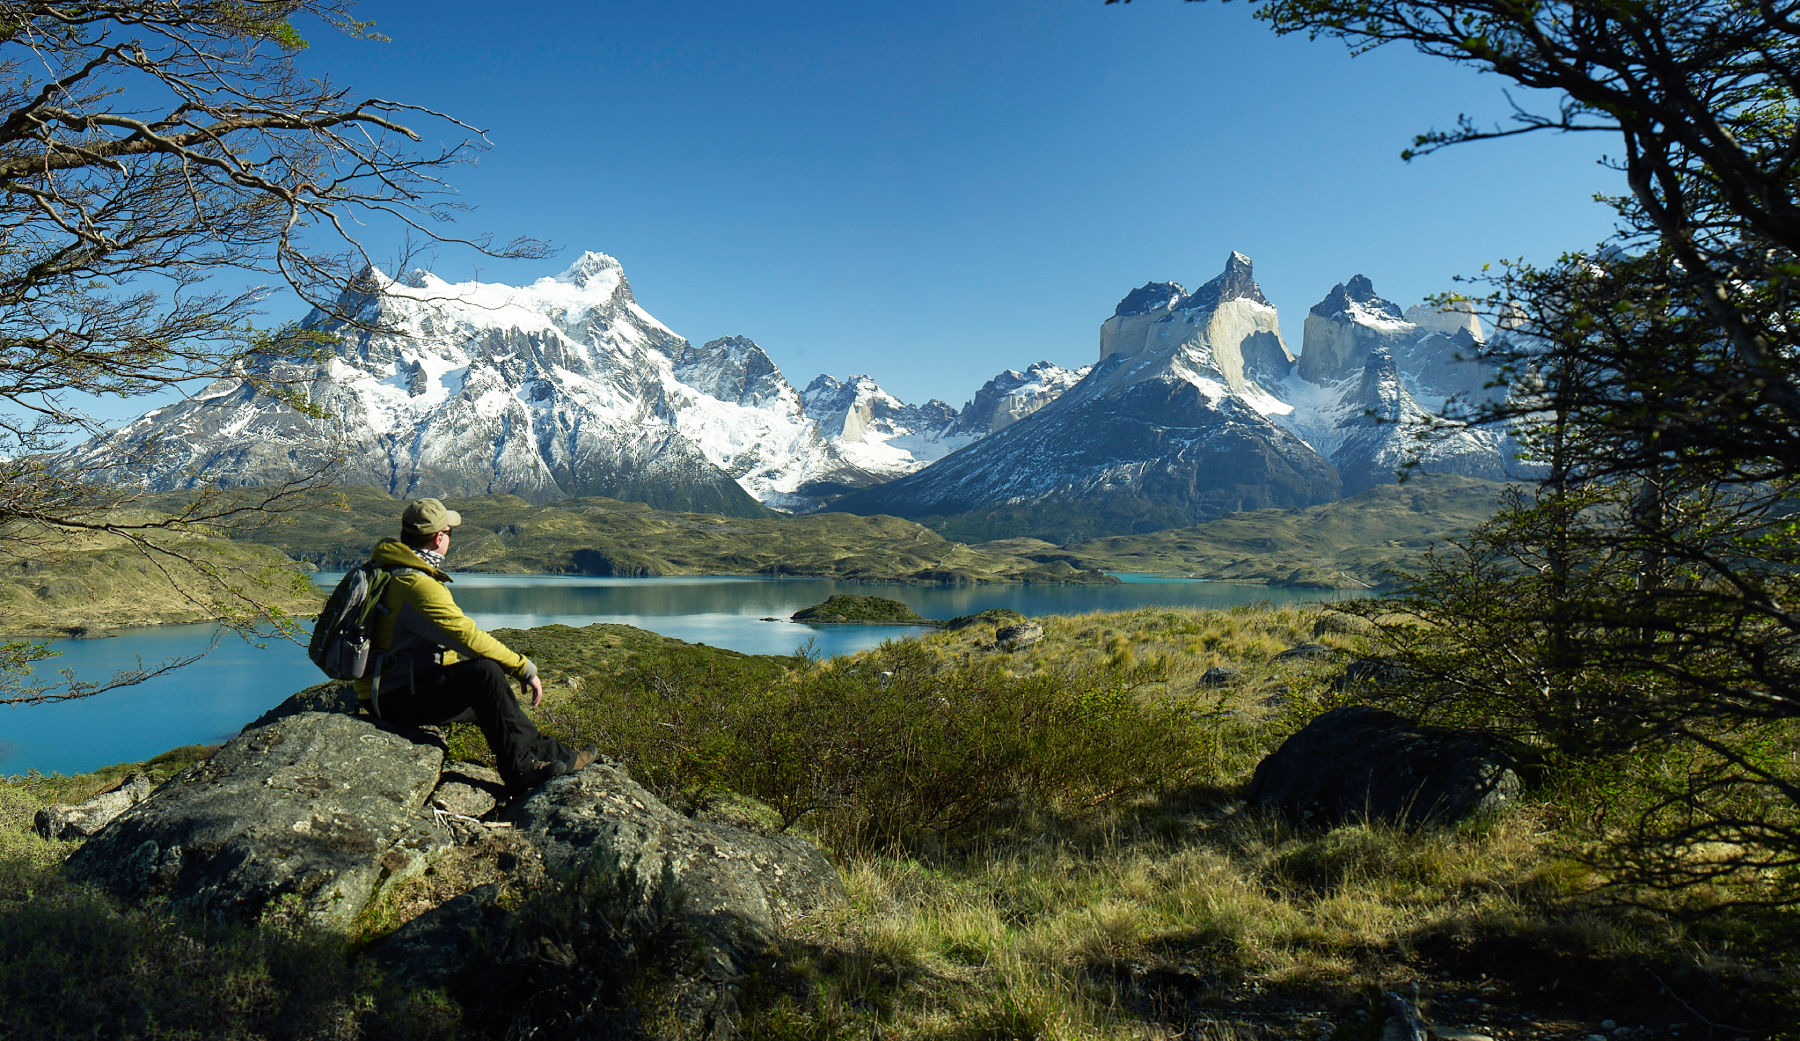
(93, 584)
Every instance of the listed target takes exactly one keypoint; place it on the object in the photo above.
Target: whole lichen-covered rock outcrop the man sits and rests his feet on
(309, 813)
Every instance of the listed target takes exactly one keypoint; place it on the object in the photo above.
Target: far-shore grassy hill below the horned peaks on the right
(1347, 545)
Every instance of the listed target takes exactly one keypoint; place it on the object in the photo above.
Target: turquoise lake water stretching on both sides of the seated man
(238, 682)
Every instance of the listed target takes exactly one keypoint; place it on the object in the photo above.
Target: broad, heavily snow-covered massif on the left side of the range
(561, 388)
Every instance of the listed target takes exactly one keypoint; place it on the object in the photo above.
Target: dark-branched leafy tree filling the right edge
(1639, 606)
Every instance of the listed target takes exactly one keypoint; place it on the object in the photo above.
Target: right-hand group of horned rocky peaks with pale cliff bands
(1198, 408)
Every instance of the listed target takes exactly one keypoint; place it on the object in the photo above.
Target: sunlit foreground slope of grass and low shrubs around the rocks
(1048, 846)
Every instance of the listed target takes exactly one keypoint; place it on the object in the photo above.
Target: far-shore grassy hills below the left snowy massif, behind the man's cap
(507, 534)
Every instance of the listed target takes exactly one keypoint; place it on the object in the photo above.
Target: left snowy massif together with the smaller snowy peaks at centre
(561, 388)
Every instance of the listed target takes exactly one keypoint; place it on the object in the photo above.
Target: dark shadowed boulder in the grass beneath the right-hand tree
(1362, 763)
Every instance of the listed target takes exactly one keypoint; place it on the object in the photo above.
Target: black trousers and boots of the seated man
(442, 694)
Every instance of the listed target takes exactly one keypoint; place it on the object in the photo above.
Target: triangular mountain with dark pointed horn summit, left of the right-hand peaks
(1174, 426)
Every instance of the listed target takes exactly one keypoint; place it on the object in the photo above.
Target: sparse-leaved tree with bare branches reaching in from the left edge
(152, 154)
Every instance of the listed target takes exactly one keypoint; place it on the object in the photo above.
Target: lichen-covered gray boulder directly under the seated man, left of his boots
(305, 808)
